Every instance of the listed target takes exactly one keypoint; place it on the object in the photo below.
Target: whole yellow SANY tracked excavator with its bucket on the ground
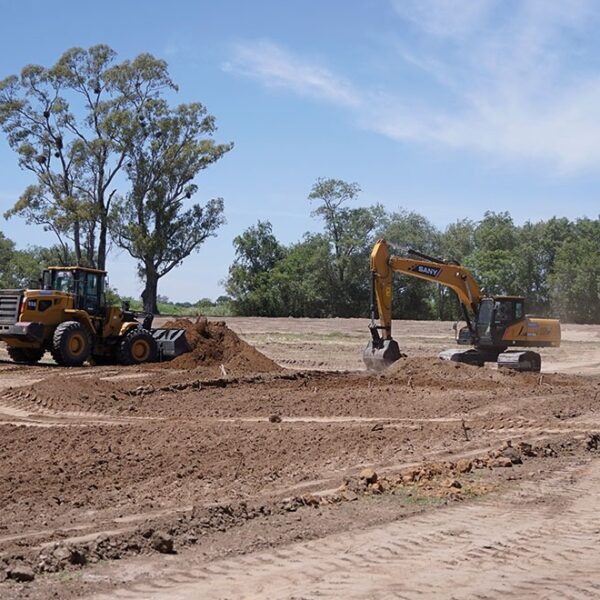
(494, 324)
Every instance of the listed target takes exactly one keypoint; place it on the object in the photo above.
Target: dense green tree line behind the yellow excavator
(554, 264)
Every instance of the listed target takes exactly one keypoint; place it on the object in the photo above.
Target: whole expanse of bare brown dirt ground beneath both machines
(226, 476)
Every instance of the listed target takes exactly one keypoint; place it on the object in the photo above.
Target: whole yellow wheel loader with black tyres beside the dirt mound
(69, 317)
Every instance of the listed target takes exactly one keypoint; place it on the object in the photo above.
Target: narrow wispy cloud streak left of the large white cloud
(275, 67)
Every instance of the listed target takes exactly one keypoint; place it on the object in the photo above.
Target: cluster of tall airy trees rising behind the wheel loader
(108, 154)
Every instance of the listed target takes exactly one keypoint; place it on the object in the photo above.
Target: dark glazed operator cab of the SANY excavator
(495, 315)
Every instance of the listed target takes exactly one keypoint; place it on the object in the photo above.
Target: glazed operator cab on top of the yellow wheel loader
(86, 286)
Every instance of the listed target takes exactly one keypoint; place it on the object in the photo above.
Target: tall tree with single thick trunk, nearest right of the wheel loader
(152, 221)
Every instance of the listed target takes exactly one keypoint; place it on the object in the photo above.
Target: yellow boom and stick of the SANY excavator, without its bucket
(383, 266)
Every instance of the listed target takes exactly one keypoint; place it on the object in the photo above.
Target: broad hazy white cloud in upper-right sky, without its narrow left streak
(520, 89)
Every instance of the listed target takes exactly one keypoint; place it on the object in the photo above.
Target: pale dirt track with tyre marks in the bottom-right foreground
(508, 547)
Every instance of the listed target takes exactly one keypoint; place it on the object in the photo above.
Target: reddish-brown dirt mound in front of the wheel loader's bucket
(213, 344)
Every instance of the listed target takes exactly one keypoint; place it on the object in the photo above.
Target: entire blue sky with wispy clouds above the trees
(446, 107)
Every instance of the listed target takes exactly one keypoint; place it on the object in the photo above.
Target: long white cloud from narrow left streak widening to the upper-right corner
(515, 80)
